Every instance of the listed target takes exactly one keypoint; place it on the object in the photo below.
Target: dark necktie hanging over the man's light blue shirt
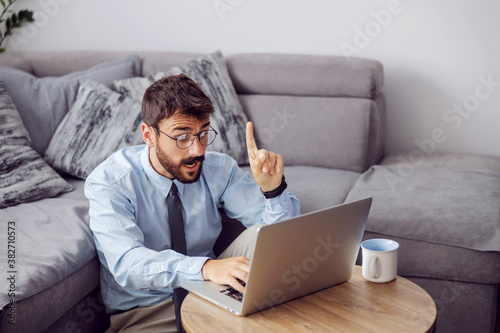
(178, 240)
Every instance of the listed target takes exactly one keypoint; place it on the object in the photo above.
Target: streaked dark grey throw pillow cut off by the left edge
(24, 175)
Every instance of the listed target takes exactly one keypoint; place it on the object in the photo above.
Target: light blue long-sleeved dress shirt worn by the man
(129, 220)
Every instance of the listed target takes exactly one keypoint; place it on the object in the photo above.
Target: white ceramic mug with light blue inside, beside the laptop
(380, 259)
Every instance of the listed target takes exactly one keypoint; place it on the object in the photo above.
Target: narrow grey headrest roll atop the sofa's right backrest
(305, 75)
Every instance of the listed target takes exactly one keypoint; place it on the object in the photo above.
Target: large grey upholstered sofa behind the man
(326, 117)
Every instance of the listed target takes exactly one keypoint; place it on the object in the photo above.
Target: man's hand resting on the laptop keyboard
(227, 271)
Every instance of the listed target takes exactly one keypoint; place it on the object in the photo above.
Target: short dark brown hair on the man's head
(171, 94)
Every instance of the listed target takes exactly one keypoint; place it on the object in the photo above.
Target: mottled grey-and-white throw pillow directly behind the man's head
(211, 74)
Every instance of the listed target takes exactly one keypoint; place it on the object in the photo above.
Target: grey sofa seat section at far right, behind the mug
(443, 211)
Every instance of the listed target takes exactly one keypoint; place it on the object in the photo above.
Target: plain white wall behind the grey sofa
(434, 52)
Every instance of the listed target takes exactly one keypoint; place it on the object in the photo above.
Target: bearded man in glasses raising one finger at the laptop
(129, 213)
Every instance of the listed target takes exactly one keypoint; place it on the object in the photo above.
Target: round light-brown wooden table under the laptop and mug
(354, 306)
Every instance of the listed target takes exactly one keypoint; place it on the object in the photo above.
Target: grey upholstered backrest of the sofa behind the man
(315, 110)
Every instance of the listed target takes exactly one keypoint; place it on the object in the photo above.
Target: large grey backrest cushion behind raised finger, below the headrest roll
(346, 133)
